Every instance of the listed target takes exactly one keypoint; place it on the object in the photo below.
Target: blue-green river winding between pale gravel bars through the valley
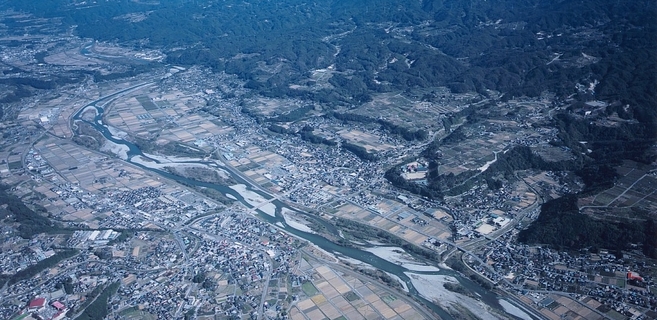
(489, 298)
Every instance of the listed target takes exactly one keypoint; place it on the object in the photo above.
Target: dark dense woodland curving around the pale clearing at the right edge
(560, 224)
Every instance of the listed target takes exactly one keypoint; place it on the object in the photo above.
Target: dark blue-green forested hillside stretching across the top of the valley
(513, 46)
